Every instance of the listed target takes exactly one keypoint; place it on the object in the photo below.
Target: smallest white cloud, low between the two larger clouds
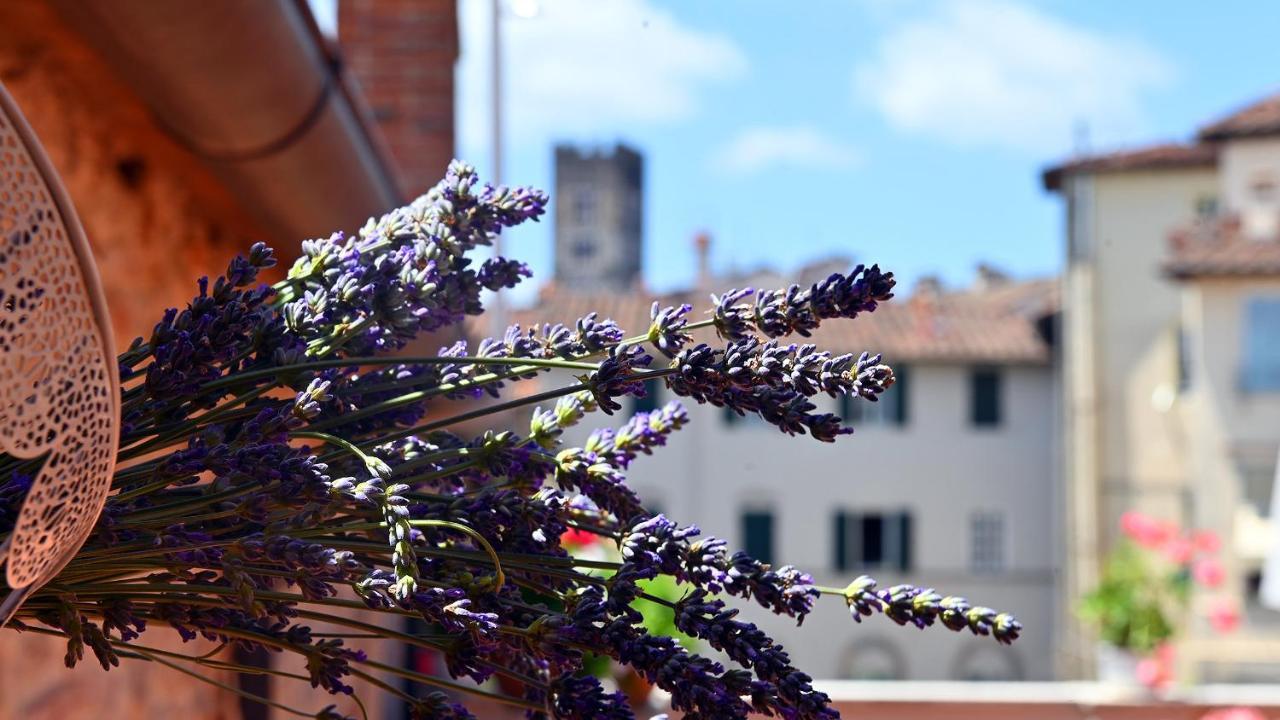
(767, 148)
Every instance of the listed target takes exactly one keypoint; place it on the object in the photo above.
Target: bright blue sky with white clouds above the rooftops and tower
(908, 133)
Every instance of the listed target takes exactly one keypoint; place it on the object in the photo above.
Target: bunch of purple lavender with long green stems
(281, 466)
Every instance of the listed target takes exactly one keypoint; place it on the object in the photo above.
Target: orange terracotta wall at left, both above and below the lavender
(156, 221)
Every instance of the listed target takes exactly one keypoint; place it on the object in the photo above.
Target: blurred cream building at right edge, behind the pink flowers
(1172, 362)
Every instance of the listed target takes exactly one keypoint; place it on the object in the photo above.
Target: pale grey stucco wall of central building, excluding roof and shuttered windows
(938, 467)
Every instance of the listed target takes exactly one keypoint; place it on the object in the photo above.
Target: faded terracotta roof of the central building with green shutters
(995, 326)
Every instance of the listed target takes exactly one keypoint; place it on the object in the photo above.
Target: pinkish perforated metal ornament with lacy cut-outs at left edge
(60, 382)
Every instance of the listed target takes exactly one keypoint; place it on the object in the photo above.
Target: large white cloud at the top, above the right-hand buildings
(994, 74)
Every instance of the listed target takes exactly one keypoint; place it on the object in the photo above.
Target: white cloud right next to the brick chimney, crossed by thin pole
(587, 69)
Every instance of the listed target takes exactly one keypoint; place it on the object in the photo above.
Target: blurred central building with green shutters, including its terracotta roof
(944, 484)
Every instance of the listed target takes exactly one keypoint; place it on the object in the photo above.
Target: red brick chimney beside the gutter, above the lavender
(403, 54)
